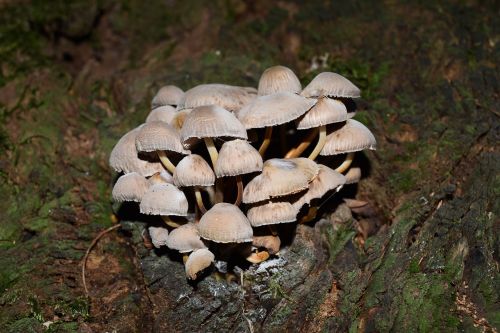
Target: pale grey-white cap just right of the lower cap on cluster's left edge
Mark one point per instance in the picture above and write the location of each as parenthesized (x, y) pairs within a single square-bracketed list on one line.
[(164, 199)]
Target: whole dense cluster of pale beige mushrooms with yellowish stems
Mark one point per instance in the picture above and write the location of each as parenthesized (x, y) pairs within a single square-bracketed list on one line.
[(207, 162)]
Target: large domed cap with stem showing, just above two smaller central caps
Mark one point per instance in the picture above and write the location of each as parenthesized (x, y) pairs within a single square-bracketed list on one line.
[(210, 122)]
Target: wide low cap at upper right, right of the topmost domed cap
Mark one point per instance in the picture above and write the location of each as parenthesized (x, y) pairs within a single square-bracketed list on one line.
[(331, 85)]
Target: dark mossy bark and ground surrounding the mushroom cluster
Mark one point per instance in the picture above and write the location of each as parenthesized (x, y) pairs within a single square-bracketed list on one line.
[(74, 77)]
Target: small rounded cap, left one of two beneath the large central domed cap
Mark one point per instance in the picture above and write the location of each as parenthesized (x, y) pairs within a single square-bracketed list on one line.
[(193, 170)]
